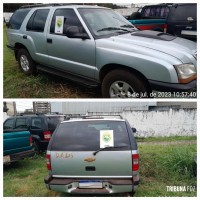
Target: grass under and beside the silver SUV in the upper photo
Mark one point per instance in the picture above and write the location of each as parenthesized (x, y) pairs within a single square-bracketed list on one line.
[(18, 85)]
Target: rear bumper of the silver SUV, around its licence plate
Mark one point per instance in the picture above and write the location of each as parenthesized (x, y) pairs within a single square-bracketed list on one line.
[(110, 185)]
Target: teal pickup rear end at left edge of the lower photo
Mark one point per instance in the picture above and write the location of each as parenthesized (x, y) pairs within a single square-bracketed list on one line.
[(17, 145)]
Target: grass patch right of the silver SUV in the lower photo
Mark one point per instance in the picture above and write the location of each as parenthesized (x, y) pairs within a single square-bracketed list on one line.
[(163, 166)]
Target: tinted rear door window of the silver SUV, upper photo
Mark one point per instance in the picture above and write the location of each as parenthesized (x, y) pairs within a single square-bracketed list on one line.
[(38, 20)]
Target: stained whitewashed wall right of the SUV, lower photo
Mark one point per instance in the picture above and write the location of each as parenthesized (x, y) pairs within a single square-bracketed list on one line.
[(155, 123)]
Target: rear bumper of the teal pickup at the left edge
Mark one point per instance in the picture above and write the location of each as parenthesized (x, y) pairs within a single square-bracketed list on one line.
[(18, 156)]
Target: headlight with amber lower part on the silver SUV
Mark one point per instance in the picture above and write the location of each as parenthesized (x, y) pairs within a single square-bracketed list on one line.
[(186, 72)]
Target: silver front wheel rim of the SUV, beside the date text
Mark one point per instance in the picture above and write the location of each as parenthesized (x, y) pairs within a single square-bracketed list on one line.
[(121, 89)]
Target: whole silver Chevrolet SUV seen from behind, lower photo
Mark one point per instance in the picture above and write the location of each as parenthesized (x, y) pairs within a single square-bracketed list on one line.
[(93, 156)]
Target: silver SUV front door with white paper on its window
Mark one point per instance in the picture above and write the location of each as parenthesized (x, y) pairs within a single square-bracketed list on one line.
[(74, 55)]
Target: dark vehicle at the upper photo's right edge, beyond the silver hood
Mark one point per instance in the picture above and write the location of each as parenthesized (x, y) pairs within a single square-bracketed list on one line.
[(182, 20)]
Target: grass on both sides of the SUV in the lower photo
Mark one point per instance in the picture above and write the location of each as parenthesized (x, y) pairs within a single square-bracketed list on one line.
[(161, 166)]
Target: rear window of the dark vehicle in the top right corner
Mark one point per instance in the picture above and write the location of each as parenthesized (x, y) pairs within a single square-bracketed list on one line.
[(183, 12)]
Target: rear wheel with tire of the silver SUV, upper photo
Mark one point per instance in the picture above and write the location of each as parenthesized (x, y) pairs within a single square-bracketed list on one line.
[(26, 64)]
